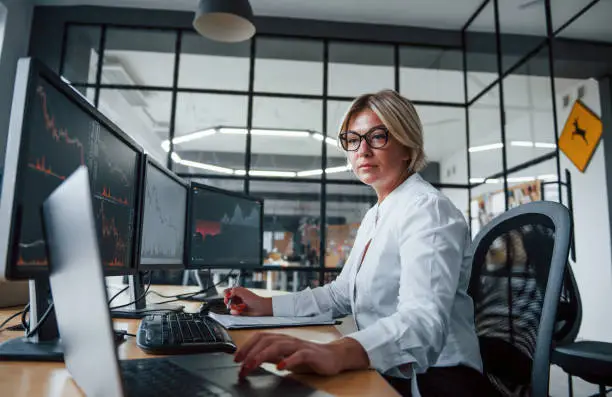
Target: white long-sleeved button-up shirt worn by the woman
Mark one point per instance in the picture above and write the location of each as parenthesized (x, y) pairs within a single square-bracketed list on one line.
[(409, 295)]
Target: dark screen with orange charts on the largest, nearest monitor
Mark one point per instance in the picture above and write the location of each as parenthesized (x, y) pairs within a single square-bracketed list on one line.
[(58, 136)]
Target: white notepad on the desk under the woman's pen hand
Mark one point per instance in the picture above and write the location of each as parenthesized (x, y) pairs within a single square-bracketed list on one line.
[(245, 322)]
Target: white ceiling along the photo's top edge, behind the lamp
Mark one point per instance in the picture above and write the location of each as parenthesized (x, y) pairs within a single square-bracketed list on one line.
[(517, 16)]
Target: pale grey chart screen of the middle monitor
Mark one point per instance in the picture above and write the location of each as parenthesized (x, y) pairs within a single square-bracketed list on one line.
[(164, 218)]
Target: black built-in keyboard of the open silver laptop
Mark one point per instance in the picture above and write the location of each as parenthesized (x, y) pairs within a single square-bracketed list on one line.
[(161, 378)]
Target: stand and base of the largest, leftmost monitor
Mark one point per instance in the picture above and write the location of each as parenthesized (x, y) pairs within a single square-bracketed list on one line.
[(44, 345)]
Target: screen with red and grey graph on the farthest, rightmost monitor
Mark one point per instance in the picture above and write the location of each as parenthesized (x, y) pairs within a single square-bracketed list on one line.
[(225, 227)]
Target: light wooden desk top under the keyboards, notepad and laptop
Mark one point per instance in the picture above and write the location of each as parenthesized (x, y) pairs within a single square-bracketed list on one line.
[(33, 379)]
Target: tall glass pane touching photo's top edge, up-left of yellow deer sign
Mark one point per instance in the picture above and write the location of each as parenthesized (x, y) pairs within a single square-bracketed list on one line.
[(522, 29)]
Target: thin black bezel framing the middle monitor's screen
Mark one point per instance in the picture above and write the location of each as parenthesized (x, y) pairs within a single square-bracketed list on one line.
[(165, 266)]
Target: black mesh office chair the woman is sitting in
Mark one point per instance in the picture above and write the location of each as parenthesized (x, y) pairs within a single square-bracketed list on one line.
[(518, 267)]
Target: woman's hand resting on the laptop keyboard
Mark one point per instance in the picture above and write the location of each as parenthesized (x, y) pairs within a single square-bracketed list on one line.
[(298, 355)]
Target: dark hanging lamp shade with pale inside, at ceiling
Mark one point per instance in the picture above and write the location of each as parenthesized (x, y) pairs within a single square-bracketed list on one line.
[(225, 20)]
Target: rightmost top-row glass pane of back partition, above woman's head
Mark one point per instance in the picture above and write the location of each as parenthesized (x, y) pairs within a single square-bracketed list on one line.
[(431, 74)]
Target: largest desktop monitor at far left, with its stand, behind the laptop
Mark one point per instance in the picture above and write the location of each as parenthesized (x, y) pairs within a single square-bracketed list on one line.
[(53, 130)]
